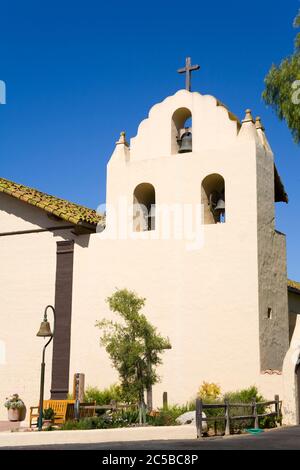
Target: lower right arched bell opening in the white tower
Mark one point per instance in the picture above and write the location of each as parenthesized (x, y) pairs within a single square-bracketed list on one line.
[(213, 199)]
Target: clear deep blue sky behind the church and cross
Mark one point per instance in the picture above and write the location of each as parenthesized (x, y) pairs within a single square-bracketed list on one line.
[(78, 73)]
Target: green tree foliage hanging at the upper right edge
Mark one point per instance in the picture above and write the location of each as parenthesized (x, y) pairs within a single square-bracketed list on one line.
[(282, 88)]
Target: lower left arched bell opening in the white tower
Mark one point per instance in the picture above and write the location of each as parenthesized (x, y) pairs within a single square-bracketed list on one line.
[(144, 208)]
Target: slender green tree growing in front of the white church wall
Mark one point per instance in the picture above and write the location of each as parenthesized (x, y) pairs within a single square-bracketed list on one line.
[(134, 346)]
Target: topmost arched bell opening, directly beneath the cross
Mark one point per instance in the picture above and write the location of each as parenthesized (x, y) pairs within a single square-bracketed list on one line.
[(181, 132)]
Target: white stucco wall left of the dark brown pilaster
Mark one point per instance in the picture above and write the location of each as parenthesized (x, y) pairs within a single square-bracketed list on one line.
[(27, 283)]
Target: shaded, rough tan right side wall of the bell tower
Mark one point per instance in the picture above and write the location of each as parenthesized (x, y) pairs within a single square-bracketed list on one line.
[(272, 270)]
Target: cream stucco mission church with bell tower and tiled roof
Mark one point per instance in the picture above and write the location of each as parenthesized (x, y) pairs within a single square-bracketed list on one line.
[(216, 285)]
